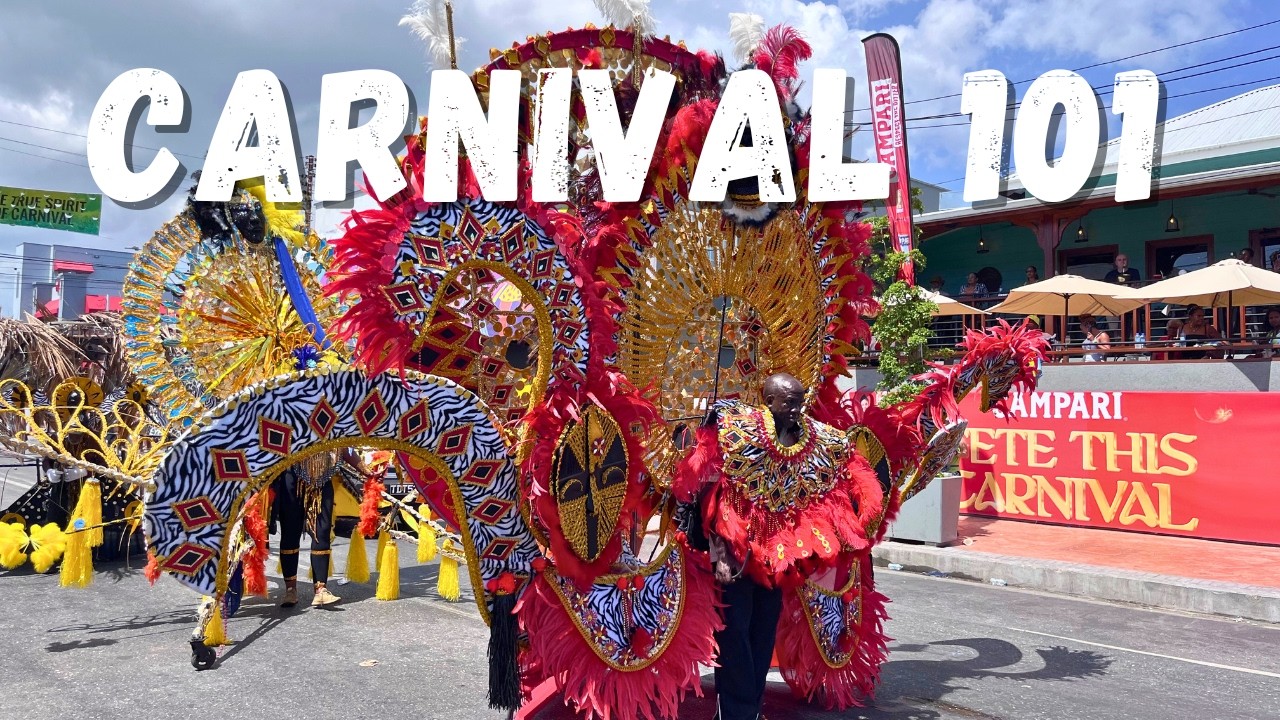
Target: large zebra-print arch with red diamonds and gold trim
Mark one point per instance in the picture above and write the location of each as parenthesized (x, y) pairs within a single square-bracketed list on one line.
[(245, 443)]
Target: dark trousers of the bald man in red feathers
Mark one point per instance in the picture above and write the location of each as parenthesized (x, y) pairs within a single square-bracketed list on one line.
[(746, 648)]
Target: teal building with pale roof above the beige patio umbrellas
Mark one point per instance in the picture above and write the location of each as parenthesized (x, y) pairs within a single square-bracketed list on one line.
[(1215, 192)]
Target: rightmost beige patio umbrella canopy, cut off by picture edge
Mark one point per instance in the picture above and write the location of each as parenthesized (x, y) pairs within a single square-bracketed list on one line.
[(1223, 285)]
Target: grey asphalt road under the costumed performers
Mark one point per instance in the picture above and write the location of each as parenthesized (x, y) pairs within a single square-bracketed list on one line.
[(963, 651)]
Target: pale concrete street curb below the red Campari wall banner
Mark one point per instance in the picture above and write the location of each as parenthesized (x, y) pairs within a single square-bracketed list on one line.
[(1167, 593)]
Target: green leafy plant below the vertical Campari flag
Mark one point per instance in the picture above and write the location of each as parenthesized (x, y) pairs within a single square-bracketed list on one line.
[(903, 325)]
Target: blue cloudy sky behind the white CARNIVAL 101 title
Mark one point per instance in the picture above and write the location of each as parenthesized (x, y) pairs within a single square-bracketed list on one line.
[(61, 57)]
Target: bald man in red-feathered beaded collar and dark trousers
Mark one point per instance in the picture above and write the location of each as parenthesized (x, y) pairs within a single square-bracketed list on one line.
[(781, 496)]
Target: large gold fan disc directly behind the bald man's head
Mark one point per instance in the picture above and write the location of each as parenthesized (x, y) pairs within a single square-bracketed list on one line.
[(757, 290)]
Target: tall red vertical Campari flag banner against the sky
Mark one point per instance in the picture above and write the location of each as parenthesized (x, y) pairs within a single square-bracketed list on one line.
[(889, 127)]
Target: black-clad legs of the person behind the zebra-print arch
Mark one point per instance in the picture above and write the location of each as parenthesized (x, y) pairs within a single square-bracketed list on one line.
[(304, 500)]
